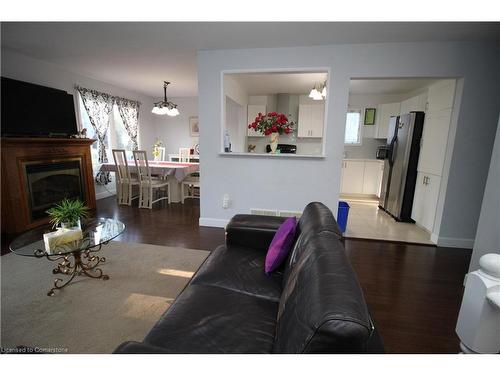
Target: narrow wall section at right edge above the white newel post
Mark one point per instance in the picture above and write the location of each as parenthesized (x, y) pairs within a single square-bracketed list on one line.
[(488, 228)]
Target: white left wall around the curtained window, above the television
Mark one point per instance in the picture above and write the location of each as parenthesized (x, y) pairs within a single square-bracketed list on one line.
[(23, 68)]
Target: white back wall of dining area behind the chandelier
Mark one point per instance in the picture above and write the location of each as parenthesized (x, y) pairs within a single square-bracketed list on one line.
[(174, 131)]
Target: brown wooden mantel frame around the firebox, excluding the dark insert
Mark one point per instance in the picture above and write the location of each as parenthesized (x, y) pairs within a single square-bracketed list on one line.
[(16, 152)]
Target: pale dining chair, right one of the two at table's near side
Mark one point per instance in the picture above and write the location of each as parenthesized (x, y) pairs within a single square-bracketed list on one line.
[(148, 185)]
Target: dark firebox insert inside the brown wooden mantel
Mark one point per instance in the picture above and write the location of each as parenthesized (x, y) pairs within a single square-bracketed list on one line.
[(47, 183)]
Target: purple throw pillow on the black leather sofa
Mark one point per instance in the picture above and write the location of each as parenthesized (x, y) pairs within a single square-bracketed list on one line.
[(281, 245)]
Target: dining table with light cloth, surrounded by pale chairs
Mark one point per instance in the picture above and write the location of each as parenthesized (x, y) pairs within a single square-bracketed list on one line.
[(163, 168)]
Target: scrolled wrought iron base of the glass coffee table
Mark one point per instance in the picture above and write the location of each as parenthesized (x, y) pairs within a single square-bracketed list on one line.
[(84, 263)]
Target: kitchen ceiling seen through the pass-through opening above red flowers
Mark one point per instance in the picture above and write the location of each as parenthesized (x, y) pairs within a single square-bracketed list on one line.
[(278, 83)]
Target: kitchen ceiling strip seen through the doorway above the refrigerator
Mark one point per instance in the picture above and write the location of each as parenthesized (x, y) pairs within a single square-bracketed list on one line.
[(391, 86)]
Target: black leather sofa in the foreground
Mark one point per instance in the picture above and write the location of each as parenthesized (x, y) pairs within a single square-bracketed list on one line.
[(313, 304)]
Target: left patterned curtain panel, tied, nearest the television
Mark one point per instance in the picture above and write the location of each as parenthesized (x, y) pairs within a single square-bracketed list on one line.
[(99, 106)]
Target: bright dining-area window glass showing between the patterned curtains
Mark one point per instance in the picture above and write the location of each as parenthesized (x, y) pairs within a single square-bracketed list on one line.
[(116, 136)]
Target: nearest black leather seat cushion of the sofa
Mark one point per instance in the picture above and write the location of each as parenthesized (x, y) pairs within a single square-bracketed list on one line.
[(209, 319)]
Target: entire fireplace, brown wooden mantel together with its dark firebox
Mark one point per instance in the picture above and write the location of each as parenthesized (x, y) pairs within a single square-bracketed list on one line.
[(38, 172)]
